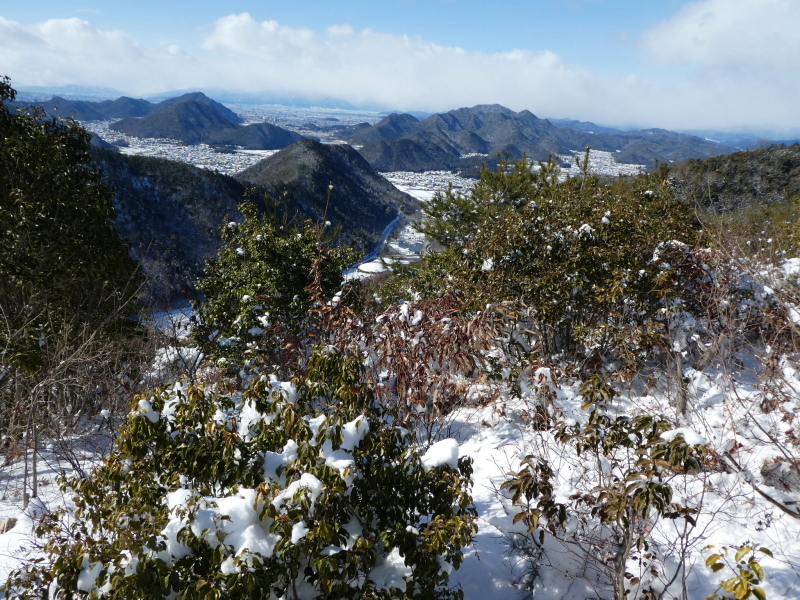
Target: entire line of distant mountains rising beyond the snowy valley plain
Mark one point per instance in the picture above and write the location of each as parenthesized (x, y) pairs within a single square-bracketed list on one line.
[(464, 139)]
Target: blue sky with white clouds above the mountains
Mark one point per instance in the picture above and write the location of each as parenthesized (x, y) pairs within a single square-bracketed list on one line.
[(677, 64)]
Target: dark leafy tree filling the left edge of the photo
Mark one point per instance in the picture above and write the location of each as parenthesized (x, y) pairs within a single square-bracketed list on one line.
[(67, 283)]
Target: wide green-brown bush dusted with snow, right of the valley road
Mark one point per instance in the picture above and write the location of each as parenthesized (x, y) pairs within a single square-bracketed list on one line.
[(579, 254)]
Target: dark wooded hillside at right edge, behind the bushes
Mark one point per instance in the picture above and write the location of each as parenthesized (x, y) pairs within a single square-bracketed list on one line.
[(760, 175)]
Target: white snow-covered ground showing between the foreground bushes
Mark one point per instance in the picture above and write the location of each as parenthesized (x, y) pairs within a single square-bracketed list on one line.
[(497, 436)]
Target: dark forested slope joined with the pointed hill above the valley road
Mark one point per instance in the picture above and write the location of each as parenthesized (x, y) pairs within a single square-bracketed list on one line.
[(170, 213)]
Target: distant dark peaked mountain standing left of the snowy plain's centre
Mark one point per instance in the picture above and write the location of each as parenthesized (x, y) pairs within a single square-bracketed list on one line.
[(189, 121)]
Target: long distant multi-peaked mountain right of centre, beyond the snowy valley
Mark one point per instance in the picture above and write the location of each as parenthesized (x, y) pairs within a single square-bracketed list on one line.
[(492, 129)]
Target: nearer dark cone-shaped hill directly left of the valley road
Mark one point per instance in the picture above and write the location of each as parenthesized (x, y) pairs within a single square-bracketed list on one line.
[(361, 201)]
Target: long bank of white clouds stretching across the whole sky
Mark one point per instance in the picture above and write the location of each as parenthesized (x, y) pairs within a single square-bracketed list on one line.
[(404, 72)]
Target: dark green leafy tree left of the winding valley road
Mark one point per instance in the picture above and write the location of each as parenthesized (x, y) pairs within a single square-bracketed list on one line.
[(267, 276)]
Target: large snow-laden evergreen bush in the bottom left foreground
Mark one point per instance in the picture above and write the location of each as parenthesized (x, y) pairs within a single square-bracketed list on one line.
[(293, 490)]
